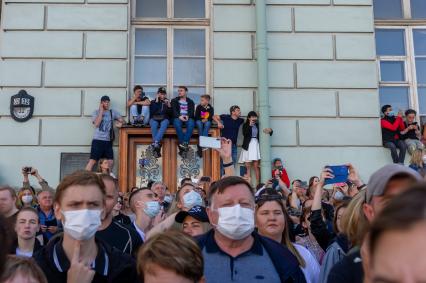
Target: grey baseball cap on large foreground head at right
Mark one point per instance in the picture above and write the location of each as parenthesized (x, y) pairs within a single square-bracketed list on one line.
[(378, 181)]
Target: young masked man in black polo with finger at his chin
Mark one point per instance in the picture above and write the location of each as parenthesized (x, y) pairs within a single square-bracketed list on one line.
[(76, 256)]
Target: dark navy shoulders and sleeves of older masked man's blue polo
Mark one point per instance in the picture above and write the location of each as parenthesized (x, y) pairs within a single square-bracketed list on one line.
[(284, 261)]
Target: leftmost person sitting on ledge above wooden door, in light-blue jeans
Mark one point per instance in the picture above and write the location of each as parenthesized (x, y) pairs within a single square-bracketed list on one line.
[(139, 107)]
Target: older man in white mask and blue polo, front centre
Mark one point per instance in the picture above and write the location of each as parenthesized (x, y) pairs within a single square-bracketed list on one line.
[(232, 251)]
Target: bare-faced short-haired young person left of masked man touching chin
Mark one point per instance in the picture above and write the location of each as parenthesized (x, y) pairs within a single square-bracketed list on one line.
[(26, 226)]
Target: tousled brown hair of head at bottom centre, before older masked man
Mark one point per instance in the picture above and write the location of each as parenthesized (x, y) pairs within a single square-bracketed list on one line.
[(171, 250)]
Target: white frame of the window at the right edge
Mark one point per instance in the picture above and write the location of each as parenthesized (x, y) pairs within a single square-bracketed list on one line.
[(410, 65)]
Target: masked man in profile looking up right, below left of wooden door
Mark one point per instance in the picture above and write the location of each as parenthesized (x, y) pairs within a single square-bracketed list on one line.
[(144, 203)]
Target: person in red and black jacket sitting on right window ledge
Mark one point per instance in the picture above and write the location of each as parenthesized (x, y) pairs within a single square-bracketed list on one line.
[(391, 128)]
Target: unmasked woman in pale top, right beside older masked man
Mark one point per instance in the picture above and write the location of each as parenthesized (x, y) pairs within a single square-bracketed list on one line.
[(272, 222)]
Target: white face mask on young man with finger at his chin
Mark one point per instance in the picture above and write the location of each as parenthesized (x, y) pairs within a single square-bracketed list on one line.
[(82, 224)]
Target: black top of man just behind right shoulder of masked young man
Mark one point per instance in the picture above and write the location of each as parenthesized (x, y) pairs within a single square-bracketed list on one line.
[(121, 237)]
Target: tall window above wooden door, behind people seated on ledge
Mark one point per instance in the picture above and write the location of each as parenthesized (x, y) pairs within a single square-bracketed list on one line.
[(170, 46)]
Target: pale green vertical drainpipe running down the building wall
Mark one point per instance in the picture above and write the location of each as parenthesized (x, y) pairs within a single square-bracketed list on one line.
[(263, 85)]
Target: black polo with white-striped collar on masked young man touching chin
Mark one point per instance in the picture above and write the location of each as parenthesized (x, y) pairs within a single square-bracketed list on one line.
[(122, 267)]
